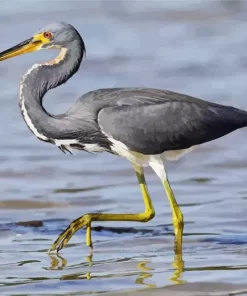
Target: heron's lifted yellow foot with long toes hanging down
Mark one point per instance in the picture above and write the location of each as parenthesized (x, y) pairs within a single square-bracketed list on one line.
[(66, 235)]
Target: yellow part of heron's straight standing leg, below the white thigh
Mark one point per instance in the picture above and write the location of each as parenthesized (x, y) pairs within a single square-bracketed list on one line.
[(177, 217)]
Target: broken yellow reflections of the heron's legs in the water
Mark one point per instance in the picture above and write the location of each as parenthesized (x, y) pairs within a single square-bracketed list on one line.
[(143, 271)]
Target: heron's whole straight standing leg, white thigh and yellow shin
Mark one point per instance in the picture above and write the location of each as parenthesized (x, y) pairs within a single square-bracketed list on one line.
[(177, 217)]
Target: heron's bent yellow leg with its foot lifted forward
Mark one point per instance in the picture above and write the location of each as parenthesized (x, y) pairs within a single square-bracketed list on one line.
[(87, 219)]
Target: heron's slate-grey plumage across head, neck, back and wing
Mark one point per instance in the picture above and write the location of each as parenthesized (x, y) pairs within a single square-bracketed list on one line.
[(148, 121)]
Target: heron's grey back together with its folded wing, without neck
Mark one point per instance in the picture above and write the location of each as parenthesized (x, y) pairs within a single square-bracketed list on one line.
[(152, 121)]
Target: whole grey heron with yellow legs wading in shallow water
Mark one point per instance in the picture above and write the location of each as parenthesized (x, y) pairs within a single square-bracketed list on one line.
[(143, 125)]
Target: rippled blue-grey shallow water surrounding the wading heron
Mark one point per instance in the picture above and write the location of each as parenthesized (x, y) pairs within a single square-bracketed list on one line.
[(195, 47)]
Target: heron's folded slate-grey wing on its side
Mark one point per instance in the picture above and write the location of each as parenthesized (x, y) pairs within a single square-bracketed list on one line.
[(153, 129)]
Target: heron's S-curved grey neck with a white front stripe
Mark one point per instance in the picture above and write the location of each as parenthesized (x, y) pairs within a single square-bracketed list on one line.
[(37, 81)]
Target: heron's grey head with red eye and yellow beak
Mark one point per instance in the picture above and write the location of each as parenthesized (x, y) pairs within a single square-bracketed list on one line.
[(56, 35)]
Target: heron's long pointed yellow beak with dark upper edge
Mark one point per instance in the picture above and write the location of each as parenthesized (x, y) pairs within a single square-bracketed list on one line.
[(26, 46)]
